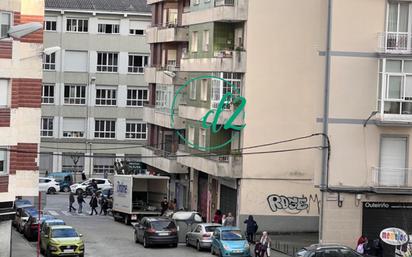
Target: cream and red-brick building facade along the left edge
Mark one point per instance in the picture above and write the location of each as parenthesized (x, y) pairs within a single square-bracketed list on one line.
[(20, 91)]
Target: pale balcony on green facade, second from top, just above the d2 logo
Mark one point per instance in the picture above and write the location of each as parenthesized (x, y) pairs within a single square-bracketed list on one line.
[(222, 61)]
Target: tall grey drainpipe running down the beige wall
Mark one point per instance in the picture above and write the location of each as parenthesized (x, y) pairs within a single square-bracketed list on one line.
[(324, 176)]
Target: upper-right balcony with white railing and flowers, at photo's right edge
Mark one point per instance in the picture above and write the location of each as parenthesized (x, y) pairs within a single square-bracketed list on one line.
[(395, 43)]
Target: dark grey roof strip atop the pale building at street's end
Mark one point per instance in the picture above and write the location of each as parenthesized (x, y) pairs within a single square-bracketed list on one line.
[(100, 5)]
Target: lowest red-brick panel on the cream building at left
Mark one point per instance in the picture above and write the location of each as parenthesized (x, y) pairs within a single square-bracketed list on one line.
[(25, 160)]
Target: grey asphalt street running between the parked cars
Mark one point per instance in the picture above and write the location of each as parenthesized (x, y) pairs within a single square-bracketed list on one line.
[(103, 236)]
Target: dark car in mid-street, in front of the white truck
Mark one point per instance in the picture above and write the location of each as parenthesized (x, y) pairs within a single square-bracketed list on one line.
[(156, 231)]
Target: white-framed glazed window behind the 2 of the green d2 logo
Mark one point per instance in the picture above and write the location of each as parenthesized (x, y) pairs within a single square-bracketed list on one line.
[(220, 88)]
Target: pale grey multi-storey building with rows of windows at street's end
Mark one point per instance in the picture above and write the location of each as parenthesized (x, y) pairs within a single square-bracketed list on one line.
[(93, 88)]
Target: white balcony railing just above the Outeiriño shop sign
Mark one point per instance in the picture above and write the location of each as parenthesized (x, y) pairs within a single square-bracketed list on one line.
[(391, 177)]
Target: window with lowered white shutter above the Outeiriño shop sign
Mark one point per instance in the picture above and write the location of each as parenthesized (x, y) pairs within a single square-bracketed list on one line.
[(392, 171)]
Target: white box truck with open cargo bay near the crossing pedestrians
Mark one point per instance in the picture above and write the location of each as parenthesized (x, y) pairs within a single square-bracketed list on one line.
[(136, 196)]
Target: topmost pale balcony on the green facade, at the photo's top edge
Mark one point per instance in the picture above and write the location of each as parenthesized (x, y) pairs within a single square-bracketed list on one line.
[(224, 10)]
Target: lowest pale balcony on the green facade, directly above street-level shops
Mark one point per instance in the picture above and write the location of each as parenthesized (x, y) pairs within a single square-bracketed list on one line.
[(217, 165)]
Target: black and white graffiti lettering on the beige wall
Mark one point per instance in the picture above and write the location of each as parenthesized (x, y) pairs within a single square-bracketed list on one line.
[(293, 204)]
